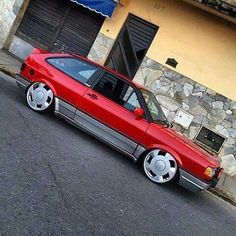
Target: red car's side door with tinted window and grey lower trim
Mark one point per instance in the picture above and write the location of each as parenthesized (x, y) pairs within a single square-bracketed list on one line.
[(109, 106)]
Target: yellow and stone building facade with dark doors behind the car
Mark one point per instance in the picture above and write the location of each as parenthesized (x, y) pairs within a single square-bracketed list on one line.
[(184, 51)]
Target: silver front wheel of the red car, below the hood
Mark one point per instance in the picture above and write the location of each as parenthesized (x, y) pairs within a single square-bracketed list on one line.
[(160, 166)]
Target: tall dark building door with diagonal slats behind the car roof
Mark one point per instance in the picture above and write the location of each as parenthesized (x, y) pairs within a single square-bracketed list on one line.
[(131, 46)]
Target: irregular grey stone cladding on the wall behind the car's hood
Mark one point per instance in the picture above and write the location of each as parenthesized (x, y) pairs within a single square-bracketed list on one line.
[(175, 91)]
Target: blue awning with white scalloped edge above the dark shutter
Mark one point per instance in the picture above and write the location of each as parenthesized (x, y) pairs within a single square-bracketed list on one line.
[(104, 7)]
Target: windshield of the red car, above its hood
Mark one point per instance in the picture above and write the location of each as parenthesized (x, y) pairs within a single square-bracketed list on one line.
[(154, 108)]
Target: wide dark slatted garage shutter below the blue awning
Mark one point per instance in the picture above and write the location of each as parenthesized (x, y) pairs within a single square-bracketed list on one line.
[(60, 26)]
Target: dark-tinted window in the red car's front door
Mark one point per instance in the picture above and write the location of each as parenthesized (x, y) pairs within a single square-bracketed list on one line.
[(118, 91)]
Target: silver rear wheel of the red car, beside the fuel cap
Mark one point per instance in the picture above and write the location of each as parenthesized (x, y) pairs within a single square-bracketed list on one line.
[(39, 96)]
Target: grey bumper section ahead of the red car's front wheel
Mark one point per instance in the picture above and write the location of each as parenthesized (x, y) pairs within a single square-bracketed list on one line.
[(192, 183)]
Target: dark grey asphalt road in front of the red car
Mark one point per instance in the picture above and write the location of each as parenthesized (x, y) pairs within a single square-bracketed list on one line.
[(57, 180)]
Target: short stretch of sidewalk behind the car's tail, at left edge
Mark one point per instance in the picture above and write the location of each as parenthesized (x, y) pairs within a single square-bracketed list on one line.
[(9, 64)]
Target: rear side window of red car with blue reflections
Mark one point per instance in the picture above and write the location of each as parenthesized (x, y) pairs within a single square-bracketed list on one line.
[(74, 67)]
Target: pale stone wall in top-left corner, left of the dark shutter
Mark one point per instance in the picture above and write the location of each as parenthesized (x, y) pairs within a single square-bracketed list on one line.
[(8, 12)]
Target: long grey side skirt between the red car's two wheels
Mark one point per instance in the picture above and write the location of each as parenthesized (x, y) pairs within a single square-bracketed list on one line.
[(97, 129)]
